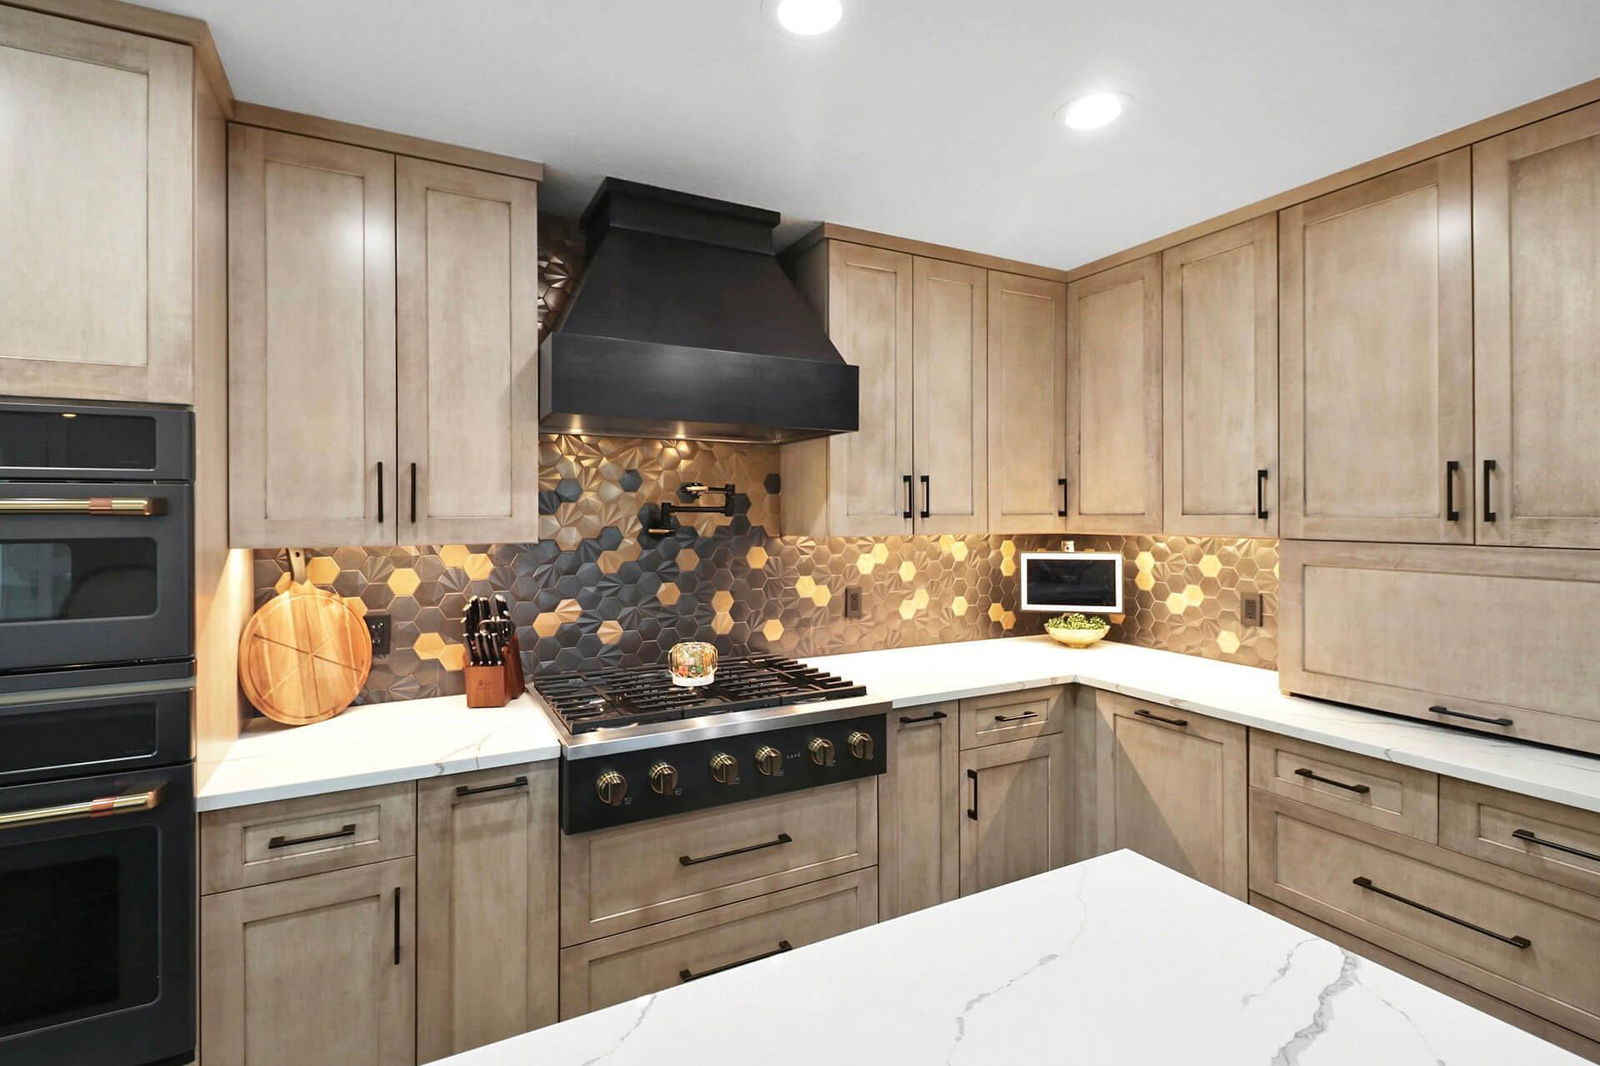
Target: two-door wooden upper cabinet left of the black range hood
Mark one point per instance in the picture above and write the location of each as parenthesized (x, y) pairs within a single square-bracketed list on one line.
[(383, 348)]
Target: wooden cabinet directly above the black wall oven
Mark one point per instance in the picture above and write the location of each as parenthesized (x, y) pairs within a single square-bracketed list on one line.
[(97, 212)]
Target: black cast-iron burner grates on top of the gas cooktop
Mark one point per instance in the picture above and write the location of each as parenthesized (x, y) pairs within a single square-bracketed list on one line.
[(615, 699)]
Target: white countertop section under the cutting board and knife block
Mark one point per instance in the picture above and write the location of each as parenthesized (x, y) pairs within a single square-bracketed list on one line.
[(374, 745)]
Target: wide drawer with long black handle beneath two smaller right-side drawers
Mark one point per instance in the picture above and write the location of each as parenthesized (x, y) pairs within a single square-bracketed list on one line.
[(1527, 942)]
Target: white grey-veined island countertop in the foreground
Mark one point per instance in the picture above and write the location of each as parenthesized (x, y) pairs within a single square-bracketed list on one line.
[(1114, 961)]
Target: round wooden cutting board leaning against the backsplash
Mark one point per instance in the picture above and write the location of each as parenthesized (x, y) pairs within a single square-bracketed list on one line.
[(303, 657)]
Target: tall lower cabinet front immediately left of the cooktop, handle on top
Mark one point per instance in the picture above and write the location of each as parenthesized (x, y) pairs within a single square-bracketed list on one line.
[(487, 920)]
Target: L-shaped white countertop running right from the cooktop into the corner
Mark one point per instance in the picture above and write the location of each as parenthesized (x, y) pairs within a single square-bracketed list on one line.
[(1225, 691)]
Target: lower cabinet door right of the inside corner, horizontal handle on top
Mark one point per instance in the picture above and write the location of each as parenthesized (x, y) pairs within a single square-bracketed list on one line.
[(1174, 788)]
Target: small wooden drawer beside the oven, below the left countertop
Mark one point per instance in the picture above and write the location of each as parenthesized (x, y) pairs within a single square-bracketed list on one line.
[(254, 846)]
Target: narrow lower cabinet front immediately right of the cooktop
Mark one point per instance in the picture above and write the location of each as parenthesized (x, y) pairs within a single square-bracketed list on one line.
[(919, 812)]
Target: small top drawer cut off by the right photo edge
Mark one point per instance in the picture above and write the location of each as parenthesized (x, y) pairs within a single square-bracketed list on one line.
[(1527, 835)]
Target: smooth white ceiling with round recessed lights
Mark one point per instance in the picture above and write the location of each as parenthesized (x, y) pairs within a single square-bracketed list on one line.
[(929, 119)]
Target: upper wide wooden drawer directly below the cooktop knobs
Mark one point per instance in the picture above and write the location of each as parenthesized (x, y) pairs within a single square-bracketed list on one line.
[(631, 876)]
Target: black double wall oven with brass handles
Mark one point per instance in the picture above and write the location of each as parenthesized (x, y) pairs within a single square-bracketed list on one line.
[(97, 782)]
